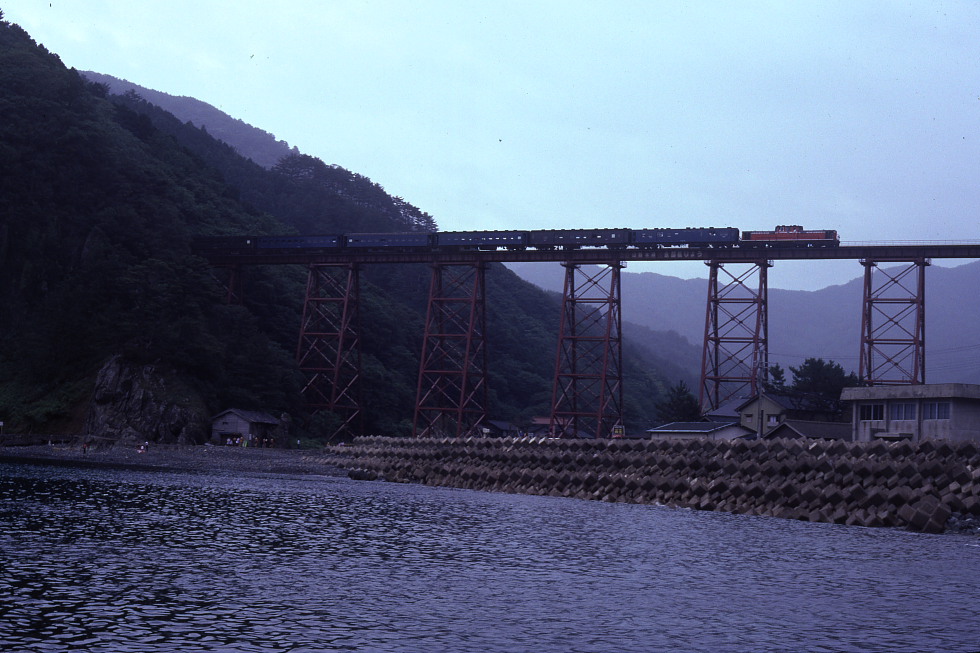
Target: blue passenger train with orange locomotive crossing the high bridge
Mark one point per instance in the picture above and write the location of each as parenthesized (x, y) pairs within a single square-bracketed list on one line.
[(544, 239)]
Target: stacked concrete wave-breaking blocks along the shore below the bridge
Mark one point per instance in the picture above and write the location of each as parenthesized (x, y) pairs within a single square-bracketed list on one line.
[(914, 485)]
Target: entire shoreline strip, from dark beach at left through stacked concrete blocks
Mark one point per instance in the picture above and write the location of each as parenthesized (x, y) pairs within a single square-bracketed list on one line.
[(880, 485)]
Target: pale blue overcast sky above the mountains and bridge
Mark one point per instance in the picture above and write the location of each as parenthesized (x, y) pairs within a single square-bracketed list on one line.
[(862, 117)]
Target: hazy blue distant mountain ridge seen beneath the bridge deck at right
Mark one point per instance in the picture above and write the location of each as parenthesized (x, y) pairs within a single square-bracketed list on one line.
[(824, 323)]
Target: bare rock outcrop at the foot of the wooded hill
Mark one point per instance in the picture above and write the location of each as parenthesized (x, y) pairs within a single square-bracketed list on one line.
[(135, 403)]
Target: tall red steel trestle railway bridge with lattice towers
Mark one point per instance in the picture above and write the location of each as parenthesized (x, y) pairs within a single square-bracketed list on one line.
[(451, 397)]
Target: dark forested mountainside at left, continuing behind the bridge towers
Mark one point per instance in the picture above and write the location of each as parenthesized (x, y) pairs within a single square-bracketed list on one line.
[(100, 198)]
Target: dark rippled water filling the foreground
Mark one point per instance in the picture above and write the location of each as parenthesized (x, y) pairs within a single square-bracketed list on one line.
[(101, 560)]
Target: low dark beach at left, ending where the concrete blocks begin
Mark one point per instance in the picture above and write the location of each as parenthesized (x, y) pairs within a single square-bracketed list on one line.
[(198, 458)]
